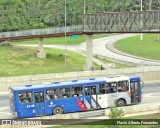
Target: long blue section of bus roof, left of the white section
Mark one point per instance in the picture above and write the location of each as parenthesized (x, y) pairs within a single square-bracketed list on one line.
[(58, 84)]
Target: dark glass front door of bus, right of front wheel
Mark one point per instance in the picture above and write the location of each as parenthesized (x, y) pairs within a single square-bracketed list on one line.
[(134, 92)]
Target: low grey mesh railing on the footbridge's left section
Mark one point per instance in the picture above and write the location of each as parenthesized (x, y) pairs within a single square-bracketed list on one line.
[(45, 31)]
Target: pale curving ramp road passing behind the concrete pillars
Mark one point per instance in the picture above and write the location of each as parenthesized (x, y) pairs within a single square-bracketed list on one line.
[(100, 48)]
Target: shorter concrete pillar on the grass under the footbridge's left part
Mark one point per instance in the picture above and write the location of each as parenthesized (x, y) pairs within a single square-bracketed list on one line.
[(40, 53)]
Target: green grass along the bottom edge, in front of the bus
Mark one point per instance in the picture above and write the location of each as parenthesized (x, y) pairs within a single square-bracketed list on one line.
[(103, 122)]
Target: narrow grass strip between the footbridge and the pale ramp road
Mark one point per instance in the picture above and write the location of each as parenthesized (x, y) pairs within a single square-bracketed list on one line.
[(60, 40)]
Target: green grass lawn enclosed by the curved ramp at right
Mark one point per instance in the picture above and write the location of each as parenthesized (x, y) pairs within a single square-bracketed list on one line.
[(148, 48)]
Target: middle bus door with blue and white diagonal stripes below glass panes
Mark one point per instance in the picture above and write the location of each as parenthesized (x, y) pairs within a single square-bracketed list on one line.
[(90, 97)]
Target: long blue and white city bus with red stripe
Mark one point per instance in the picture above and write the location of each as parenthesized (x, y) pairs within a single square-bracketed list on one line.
[(74, 96)]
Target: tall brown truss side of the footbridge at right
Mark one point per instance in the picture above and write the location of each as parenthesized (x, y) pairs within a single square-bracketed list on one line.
[(147, 21)]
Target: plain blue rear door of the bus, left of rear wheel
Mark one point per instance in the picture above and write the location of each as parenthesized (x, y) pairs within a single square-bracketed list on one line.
[(39, 103)]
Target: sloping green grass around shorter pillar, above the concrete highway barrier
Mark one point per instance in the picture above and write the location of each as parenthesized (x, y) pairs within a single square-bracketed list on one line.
[(21, 61)]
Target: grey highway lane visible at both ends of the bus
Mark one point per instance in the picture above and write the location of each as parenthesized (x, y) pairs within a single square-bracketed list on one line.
[(151, 93)]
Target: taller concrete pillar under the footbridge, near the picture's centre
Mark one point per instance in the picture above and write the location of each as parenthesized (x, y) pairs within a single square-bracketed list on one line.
[(89, 52)]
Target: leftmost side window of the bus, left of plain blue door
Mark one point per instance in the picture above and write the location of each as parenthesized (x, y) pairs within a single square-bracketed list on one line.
[(25, 97)]
